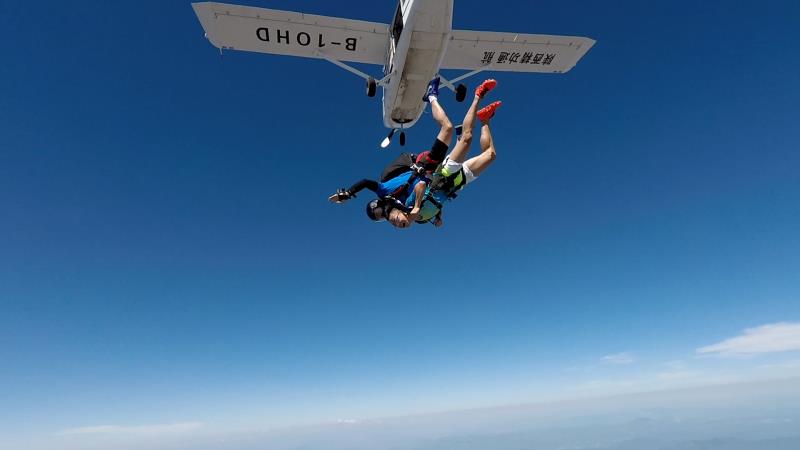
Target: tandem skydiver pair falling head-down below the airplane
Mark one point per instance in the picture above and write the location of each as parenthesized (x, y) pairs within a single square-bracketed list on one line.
[(414, 188)]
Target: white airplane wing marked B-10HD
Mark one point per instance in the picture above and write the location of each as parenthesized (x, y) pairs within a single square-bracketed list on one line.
[(290, 33)]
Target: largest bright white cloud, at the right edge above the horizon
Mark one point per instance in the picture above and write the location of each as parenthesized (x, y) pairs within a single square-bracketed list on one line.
[(772, 338)]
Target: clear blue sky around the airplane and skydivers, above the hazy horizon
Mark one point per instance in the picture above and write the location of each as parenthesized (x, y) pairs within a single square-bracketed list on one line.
[(167, 253)]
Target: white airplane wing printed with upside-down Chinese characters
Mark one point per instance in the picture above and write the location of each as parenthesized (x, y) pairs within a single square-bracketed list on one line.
[(512, 52)]
